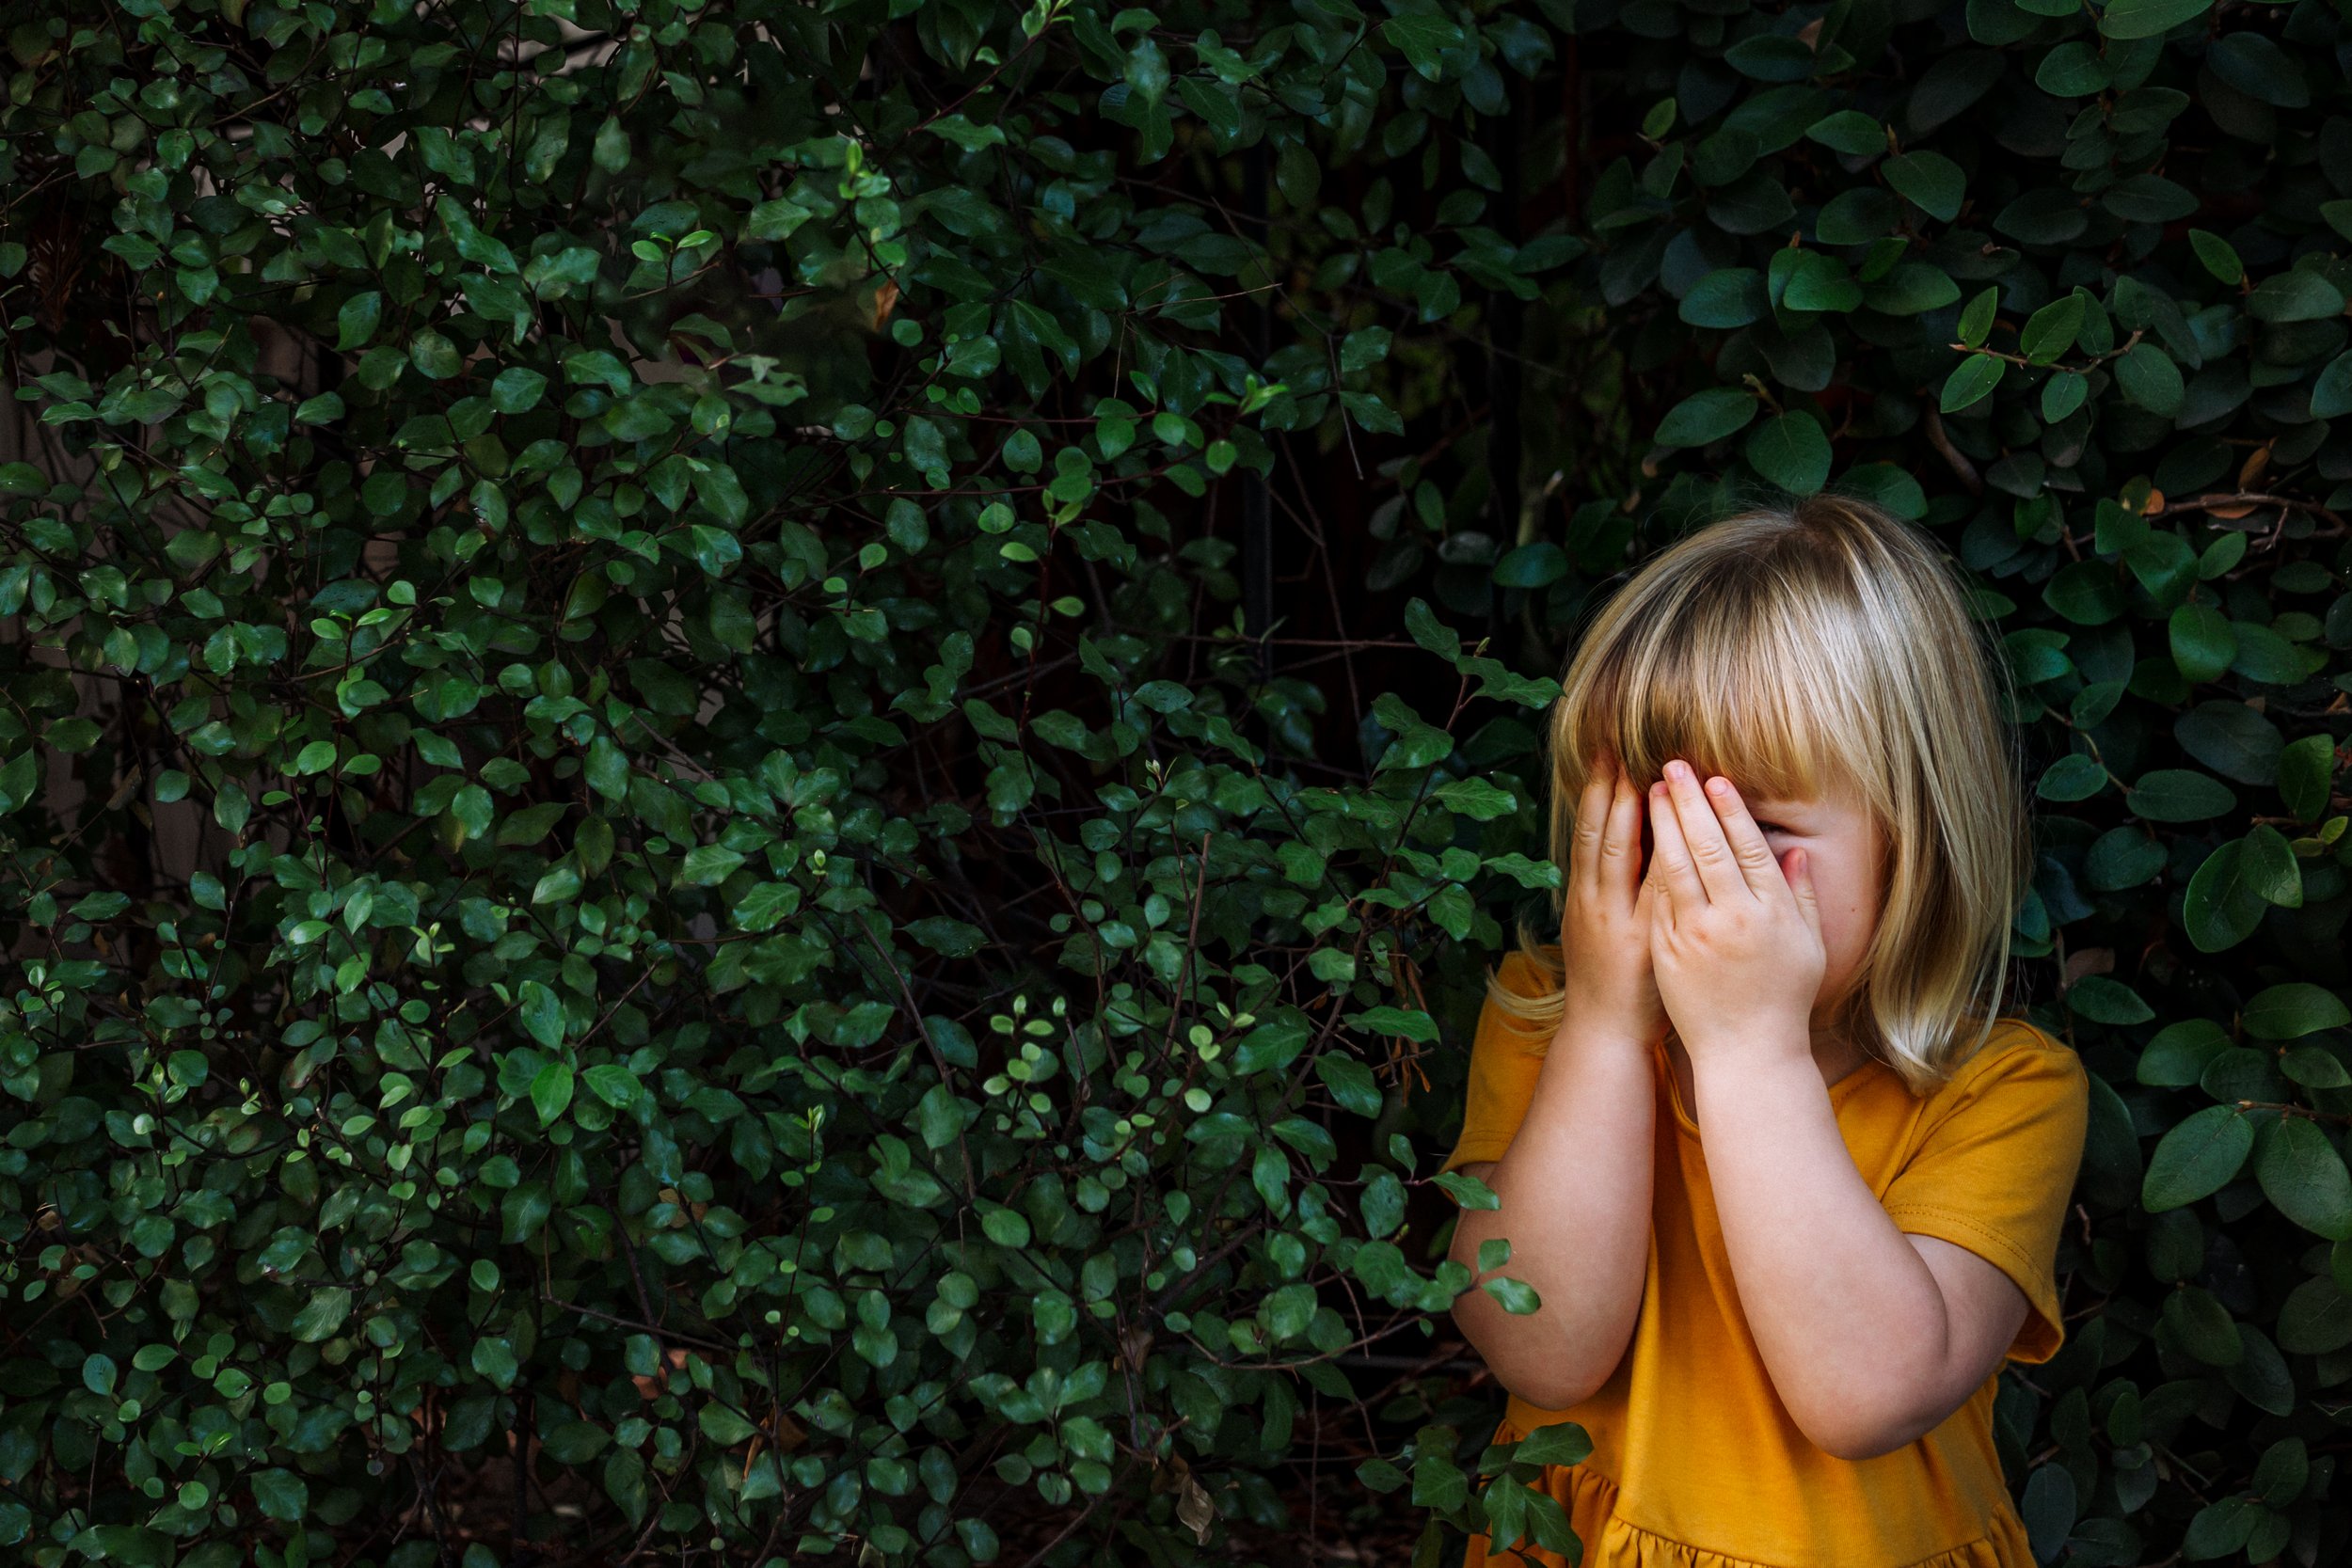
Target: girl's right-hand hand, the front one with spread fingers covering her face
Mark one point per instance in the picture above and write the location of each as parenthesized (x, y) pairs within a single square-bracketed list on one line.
[(1735, 939)]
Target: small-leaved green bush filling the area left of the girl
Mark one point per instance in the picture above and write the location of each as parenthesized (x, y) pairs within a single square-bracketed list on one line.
[(648, 902)]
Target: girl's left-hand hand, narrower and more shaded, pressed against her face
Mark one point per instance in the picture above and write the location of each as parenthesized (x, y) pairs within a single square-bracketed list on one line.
[(1605, 923)]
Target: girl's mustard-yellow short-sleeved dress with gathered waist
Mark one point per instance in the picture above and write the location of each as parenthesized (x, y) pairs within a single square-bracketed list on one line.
[(1695, 1463)]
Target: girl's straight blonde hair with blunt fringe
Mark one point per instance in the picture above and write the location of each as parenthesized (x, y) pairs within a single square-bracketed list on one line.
[(1805, 652)]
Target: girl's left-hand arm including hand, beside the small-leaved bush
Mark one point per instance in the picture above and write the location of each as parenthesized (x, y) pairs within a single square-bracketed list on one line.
[(1575, 1184)]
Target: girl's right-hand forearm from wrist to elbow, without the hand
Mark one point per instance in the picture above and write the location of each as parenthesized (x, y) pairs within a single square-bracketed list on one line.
[(1845, 1313)]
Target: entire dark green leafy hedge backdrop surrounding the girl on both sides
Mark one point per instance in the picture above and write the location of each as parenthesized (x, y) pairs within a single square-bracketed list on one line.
[(686, 857)]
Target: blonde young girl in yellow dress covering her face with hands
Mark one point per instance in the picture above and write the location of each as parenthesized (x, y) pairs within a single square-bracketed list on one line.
[(1784, 1179)]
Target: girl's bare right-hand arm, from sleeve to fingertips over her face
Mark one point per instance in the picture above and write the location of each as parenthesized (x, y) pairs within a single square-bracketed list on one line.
[(1871, 1336)]
